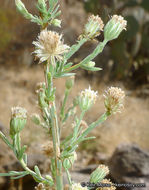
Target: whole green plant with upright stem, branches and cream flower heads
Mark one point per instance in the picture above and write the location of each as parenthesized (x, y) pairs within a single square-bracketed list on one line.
[(54, 55)]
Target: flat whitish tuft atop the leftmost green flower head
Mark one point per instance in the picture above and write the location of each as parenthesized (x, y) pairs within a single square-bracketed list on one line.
[(18, 112)]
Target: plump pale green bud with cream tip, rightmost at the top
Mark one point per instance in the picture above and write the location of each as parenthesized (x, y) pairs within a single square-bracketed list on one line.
[(114, 27)]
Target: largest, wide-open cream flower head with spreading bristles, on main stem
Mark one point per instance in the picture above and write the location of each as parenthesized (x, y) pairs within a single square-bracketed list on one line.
[(49, 46)]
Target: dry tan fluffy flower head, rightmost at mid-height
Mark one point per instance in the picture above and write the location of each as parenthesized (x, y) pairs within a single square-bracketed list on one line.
[(114, 98)]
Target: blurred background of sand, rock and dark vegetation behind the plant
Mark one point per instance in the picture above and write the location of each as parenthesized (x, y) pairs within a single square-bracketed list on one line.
[(123, 141)]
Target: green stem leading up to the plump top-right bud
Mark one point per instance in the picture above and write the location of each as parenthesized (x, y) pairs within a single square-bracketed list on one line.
[(90, 57)]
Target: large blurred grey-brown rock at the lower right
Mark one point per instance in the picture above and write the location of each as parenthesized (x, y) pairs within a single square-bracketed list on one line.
[(130, 164)]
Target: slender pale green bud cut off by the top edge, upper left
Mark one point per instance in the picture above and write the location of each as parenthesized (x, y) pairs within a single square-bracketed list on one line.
[(21, 8)]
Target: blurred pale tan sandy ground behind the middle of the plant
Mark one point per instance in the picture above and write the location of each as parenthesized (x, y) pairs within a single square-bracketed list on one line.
[(17, 88)]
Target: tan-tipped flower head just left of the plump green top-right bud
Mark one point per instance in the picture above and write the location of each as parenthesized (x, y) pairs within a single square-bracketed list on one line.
[(93, 27)]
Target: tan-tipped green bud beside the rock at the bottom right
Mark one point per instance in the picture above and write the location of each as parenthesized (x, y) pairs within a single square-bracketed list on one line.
[(99, 174)]
